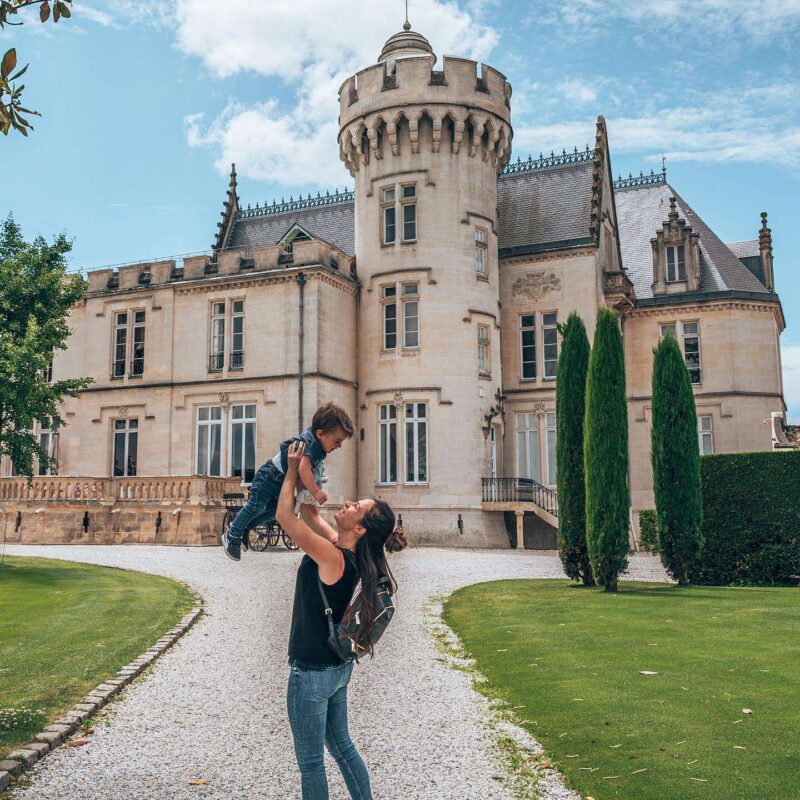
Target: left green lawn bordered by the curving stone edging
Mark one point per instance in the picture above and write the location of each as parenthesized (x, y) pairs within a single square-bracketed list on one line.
[(66, 627)]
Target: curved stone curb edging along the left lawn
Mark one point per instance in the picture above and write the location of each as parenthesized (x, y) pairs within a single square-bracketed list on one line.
[(65, 726)]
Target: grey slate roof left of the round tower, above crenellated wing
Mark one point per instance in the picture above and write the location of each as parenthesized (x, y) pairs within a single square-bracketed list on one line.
[(334, 223)]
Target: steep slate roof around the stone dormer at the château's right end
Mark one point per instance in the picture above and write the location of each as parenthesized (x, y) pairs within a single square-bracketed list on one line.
[(642, 212)]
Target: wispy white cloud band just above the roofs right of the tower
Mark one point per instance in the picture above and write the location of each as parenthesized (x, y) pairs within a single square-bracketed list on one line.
[(753, 125)]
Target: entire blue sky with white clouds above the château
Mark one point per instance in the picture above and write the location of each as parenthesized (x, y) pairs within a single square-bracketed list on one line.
[(145, 104)]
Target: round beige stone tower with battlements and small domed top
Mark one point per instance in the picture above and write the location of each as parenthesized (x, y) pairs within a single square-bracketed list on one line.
[(425, 147)]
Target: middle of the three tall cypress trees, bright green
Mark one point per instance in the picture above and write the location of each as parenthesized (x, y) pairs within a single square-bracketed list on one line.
[(606, 453)]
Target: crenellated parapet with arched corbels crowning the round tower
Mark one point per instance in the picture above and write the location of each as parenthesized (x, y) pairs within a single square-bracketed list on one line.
[(406, 103)]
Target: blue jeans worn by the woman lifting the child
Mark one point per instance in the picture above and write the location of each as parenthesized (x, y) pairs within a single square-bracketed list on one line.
[(317, 702)]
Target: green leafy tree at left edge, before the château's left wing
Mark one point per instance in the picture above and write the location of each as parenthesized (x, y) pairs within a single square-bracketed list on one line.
[(36, 295)]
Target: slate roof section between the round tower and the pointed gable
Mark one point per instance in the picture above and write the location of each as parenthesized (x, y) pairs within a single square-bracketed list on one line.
[(544, 206)]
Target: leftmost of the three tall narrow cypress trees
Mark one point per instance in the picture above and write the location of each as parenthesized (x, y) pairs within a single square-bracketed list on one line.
[(573, 365)]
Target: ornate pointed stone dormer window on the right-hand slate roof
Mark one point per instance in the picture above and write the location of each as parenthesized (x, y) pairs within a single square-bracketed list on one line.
[(676, 255)]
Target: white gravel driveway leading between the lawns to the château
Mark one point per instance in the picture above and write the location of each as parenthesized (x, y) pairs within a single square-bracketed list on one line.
[(213, 707)]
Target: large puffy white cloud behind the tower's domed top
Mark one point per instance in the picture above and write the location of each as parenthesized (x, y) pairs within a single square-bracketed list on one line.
[(308, 45)]
